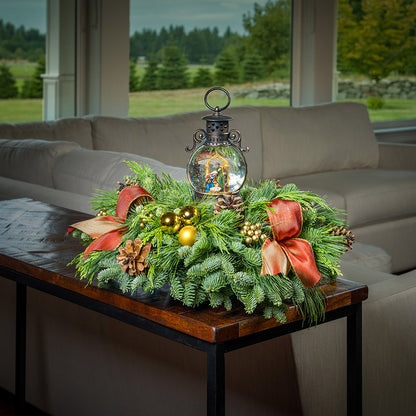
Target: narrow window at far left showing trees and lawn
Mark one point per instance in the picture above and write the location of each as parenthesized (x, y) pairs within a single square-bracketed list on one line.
[(22, 59)]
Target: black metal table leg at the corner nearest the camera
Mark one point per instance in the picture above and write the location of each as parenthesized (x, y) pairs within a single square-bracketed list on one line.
[(216, 380)]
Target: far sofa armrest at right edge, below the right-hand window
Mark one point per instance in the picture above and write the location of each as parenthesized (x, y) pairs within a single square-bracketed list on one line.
[(399, 156)]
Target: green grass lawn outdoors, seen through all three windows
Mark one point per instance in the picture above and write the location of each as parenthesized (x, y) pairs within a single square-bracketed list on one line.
[(160, 103)]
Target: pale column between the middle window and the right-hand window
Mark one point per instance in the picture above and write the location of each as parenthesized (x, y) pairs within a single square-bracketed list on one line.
[(313, 51)]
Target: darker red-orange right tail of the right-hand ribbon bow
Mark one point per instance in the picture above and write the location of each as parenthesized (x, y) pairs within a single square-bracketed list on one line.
[(302, 259)]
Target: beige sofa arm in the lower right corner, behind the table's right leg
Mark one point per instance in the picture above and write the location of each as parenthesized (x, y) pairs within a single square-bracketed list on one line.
[(389, 337)]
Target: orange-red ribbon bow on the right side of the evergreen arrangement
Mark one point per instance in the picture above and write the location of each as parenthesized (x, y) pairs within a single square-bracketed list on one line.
[(285, 250)]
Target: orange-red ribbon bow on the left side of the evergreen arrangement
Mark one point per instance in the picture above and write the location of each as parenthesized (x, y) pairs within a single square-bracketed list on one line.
[(107, 231)]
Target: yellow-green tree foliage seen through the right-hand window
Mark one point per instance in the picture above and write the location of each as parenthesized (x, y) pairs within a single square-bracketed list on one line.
[(378, 39)]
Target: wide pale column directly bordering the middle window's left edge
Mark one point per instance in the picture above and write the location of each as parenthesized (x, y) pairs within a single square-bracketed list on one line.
[(103, 57)]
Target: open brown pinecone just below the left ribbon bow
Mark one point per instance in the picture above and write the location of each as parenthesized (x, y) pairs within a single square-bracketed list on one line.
[(132, 257)]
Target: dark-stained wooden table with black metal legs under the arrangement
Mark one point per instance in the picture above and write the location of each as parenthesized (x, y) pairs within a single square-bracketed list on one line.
[(34, 252)]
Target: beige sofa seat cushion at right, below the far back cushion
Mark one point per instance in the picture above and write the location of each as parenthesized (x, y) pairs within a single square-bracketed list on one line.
[(371, 195)]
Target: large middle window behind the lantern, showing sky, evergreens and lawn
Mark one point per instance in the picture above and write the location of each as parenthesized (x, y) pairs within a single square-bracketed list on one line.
[(179, 49)]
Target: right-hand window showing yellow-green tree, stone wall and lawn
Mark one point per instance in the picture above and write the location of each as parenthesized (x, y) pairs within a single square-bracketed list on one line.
[(377, 56)]
